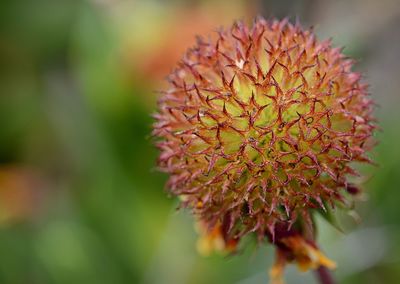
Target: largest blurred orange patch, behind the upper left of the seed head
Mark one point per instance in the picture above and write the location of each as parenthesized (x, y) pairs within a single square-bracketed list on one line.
[(176, 33)]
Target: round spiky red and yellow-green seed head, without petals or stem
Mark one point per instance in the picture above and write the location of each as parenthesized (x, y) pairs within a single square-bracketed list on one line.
[(261, 124)]
